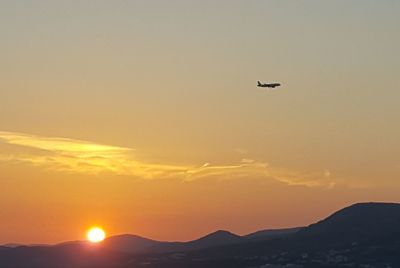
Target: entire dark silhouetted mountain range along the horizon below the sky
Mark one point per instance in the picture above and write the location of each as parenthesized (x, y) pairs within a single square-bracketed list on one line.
[(361, 235)]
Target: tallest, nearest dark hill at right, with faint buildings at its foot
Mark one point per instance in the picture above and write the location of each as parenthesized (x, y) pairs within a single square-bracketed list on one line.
[(361, 235)]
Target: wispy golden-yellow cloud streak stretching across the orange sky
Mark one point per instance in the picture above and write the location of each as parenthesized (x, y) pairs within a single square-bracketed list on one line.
[(69, 155)]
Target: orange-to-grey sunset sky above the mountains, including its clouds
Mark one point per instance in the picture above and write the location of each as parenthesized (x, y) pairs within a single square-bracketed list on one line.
[(144, 117)]
